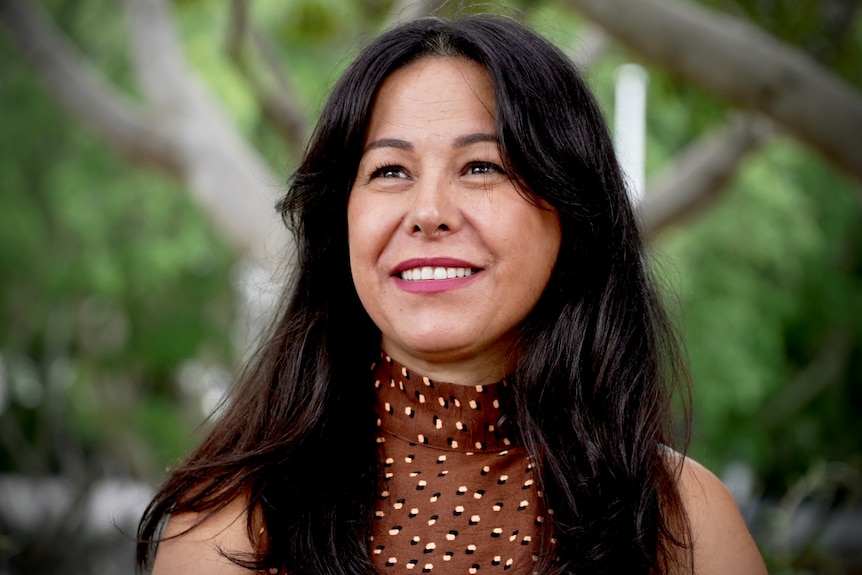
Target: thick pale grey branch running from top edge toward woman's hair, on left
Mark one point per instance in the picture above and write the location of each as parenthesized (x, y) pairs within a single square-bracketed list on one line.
[(229, 179)]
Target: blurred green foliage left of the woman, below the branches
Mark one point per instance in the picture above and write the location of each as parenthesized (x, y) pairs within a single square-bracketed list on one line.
[(111, 279)]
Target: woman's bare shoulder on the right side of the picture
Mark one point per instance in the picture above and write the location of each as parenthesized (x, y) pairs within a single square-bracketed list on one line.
[(722, 542)]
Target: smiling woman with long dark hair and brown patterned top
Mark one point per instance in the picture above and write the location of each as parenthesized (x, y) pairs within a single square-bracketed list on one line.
[(471, 371)]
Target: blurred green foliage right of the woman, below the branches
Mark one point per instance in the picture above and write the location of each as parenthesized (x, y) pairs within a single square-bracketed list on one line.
[(769, 278)]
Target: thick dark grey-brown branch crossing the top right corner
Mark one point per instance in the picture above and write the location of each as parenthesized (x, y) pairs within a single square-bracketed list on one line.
[(739, 62)]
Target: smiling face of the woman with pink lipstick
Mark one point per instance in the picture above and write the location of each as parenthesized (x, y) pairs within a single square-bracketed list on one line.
[(446, 255)]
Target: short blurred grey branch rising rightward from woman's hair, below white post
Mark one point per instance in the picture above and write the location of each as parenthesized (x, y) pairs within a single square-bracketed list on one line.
[(699, 173)]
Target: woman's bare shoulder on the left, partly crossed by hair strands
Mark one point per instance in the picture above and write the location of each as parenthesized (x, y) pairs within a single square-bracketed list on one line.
[(195, 548)]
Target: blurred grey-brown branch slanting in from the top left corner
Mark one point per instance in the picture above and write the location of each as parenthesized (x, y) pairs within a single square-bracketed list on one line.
[(135, 134)]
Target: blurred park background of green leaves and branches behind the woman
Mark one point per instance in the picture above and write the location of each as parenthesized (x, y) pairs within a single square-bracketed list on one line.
[(142, 147)]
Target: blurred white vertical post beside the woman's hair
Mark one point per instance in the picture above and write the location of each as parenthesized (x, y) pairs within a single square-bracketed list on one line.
[(630, 125)]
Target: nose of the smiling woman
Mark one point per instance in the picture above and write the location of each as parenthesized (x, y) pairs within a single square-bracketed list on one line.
[(434, 209)]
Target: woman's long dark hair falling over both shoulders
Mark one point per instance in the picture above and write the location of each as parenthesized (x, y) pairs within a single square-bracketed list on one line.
[(596, 360)]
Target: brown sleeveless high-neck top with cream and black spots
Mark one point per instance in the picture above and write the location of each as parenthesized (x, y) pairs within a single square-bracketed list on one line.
[(458, 494)]
